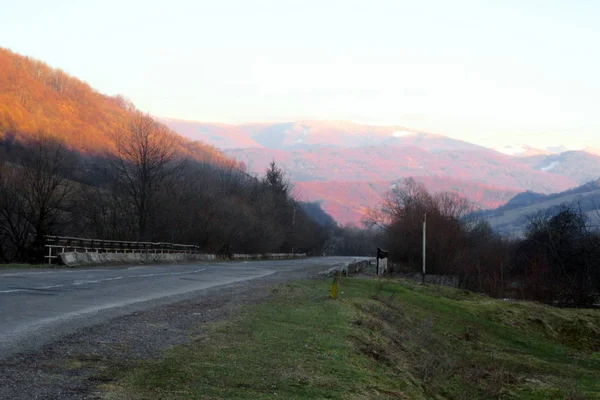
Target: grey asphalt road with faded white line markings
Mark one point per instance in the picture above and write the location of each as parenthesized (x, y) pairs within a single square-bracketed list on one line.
[(39, 306)]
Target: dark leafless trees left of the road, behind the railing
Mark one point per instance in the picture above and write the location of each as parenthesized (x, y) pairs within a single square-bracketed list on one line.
[(145, 190)]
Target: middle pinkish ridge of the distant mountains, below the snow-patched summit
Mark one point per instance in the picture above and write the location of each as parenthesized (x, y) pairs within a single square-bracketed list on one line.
[(386, 163)]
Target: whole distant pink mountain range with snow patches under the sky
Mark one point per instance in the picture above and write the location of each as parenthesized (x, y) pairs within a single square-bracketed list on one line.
[(348, 166)]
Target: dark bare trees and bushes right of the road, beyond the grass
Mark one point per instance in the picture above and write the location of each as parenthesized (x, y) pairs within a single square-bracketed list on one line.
[(556, 262)]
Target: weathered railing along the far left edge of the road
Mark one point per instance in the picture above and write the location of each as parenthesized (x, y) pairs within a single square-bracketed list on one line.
[(60, 244)]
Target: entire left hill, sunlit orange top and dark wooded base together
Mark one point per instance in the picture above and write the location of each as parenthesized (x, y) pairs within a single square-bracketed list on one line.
[(58, 138)]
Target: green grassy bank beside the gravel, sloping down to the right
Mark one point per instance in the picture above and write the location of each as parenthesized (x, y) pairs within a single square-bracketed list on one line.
[(381, 339)]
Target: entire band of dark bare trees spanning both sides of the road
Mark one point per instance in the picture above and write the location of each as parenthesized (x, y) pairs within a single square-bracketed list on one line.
[(147, 189)]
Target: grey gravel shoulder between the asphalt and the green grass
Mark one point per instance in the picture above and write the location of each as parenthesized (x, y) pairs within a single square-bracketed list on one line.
[(71, 367)]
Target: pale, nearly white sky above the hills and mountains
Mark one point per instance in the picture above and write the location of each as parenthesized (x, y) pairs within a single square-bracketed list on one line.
[(490, 72)]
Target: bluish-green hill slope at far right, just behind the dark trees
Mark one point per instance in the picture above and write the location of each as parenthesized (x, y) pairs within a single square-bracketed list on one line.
[(513, 217)]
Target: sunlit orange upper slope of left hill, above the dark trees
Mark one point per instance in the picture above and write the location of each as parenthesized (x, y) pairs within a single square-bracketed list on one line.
[(38, 98)]
